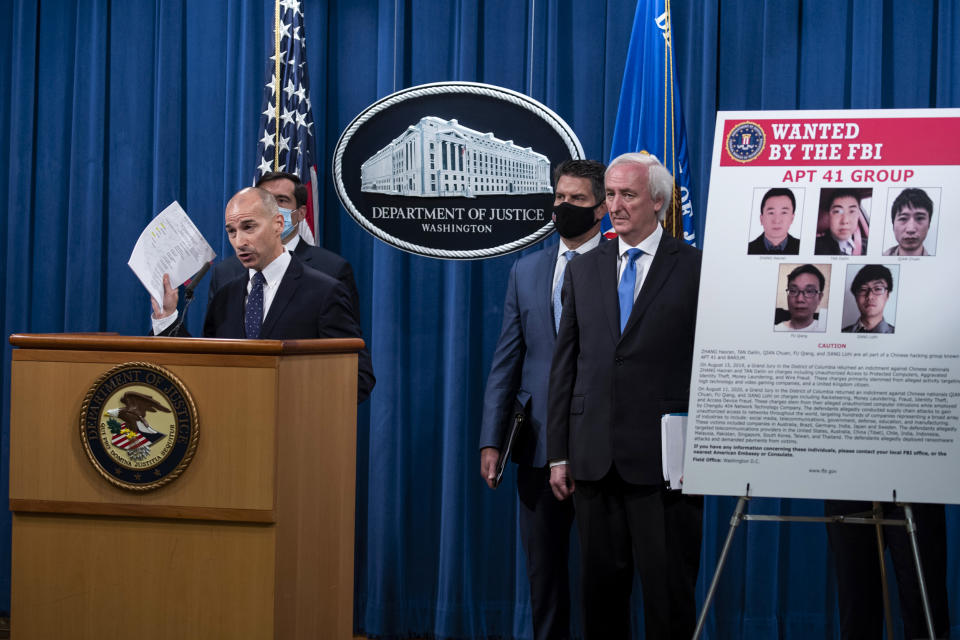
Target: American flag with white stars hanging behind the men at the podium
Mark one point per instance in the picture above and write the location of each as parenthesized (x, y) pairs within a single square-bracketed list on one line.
[(292, 148)]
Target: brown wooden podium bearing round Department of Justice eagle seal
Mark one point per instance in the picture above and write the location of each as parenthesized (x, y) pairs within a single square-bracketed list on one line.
[(253, 540)]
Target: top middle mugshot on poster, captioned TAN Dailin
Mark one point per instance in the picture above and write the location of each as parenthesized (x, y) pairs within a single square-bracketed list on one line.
[(843, 223)]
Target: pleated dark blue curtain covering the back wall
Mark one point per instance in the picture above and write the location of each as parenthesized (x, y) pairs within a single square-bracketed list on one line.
[(110, 110)]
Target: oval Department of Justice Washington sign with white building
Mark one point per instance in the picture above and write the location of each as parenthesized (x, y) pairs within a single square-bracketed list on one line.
[(454, 170)]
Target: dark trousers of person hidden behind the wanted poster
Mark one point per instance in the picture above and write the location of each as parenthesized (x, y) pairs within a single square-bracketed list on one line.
[(859, 589)]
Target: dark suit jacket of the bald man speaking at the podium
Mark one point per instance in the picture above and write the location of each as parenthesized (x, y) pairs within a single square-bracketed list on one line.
[(308, 304)]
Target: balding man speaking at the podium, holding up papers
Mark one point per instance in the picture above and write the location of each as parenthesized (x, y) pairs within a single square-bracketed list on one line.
[(276, 298)]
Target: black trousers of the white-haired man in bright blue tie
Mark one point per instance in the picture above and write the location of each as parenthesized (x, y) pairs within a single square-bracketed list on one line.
[(657, 532)]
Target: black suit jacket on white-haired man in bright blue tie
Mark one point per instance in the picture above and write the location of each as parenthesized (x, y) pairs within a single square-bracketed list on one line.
[(607, 391)]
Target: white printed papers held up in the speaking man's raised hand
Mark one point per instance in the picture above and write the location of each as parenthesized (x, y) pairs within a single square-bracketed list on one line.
[(170, 244)]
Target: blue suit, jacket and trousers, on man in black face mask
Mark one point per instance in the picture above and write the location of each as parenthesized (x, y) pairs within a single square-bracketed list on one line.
[(519, 374)]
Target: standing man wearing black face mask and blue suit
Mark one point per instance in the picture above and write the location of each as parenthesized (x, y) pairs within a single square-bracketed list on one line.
[(518, 382)]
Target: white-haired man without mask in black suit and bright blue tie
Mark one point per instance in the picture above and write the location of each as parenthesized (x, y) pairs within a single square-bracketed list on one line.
[(623, 359)]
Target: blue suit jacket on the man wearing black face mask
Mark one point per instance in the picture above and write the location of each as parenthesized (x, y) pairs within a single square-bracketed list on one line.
[(521, 362)]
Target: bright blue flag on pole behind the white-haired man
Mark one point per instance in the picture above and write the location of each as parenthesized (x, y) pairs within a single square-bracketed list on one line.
[(650, 116)]
